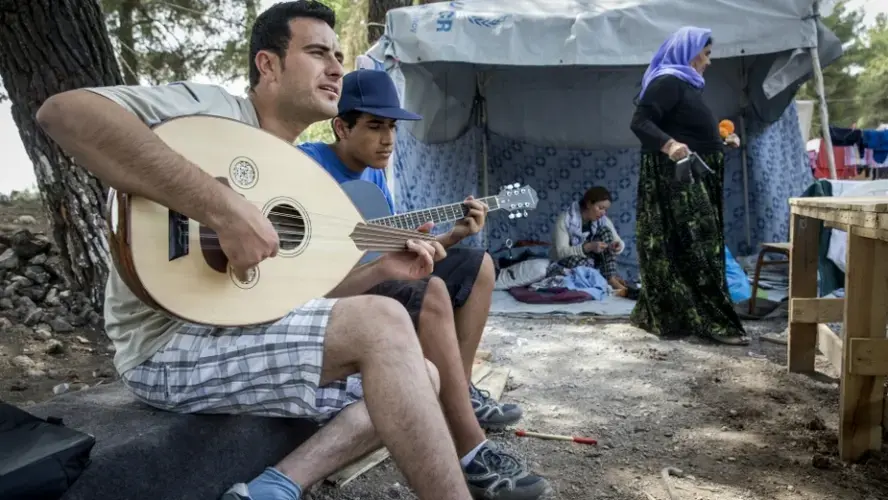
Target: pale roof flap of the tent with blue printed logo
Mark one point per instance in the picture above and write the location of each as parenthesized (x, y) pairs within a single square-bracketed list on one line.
[(591, 32)]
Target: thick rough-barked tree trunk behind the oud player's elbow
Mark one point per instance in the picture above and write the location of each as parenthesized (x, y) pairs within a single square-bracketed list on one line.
[(47, 47)]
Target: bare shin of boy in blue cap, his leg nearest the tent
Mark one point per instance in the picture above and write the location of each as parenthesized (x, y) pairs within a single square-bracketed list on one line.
[(471, 318)]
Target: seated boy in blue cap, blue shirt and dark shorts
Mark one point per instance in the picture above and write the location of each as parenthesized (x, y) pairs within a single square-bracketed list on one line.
[(450, 308)]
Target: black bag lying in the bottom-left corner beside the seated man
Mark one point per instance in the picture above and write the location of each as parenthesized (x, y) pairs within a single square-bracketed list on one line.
[(39, 459)]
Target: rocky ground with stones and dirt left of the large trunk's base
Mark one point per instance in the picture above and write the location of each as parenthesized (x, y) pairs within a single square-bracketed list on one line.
[(47, 340)]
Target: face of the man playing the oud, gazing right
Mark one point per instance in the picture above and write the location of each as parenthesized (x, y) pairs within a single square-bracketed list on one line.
[(308, 82)]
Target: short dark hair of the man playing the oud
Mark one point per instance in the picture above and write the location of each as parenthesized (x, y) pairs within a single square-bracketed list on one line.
[(271, 31)]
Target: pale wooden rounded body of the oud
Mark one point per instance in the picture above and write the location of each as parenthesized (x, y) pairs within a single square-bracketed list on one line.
[(268, 172)]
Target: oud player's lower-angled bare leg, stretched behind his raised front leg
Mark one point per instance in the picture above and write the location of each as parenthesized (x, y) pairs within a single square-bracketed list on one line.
[(346, 438)]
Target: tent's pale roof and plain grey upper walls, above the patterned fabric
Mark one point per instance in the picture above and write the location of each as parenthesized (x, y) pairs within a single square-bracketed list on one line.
[(581, 61)]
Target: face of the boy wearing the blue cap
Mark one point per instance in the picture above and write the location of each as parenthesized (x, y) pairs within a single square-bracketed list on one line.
[(371, 140)]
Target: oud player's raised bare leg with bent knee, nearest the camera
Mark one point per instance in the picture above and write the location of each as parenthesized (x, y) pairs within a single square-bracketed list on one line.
[(374, 336)]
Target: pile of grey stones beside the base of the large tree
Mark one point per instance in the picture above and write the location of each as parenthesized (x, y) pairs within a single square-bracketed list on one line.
[(34, 290)]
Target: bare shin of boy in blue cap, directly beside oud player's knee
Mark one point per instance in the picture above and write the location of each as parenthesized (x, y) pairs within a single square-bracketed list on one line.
[(439, 345)]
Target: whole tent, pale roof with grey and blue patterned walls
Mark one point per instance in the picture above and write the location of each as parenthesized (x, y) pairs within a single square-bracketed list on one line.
[(543, 91)]
